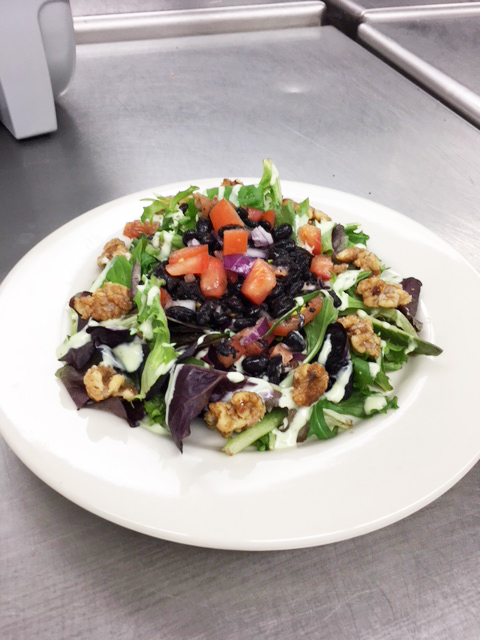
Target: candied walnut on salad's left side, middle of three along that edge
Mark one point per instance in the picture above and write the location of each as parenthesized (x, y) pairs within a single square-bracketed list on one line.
[(111, 301)]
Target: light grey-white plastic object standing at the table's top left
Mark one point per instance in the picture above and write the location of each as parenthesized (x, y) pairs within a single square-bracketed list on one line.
[(37, 60)]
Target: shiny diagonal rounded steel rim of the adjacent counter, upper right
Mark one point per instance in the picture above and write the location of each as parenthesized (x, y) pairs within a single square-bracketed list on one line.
[(444, 86)]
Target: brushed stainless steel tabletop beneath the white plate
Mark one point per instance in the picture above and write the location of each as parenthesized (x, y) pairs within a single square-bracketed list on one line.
[(144, 113)]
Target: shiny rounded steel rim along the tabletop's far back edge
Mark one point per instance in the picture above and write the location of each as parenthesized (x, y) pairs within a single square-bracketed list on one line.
[(168, 24)]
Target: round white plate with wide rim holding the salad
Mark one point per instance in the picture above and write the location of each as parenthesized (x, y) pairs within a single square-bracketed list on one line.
[(383, 470)]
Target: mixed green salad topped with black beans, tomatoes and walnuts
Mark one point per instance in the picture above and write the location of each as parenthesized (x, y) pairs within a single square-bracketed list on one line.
[(260, 315)]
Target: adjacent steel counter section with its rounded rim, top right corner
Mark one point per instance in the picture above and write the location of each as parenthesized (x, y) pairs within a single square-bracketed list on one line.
[(441, 54)]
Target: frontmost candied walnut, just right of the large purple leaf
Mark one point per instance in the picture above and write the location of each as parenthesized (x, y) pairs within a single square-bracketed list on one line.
[(244, 410)]
